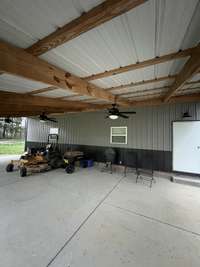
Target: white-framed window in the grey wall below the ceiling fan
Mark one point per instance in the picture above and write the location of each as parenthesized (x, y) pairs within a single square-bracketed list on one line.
[(118, 135)]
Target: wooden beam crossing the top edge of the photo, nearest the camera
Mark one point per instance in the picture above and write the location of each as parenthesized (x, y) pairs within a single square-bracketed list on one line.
[(87, 21)]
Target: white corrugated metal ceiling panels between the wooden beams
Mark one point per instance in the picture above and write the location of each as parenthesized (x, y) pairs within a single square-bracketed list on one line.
[(153, 29)]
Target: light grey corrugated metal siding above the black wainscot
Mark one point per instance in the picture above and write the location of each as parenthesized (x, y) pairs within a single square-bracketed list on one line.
[(150, 128)]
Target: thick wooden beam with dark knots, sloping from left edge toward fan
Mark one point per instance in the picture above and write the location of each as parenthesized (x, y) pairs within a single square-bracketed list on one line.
[(18, 62)]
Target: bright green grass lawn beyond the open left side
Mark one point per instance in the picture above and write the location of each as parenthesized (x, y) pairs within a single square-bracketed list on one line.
[(12, 147)]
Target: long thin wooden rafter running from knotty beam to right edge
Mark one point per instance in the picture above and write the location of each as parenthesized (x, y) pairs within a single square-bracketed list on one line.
[(143, 64)]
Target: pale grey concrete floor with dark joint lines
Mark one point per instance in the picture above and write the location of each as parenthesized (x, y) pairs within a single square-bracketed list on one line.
[(94, 219)]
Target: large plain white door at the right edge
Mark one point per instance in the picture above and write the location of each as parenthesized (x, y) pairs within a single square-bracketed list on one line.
[(186, 146)]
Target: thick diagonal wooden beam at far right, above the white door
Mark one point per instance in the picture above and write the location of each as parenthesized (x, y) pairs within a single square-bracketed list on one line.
[(191, 67)]
